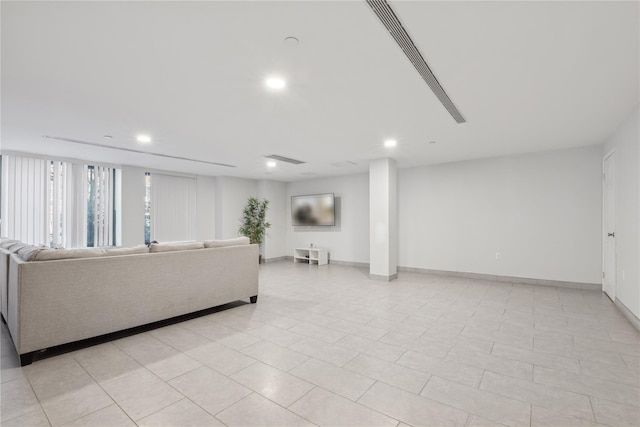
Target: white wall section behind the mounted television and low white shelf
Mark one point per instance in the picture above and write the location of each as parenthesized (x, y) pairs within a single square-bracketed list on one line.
[(348, 240)]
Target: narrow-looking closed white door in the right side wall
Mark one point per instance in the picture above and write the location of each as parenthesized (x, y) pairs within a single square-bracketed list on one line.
[(609, 226)]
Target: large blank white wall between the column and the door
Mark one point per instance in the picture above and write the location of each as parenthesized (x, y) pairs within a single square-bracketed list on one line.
[(541, 211)]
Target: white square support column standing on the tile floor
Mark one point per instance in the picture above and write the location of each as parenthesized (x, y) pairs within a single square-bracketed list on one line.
[(383, 220)]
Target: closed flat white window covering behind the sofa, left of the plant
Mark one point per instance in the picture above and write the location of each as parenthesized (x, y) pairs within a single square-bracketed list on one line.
[(173, 208)]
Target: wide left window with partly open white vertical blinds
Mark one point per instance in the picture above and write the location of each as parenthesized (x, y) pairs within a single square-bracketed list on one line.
[(59, 203)]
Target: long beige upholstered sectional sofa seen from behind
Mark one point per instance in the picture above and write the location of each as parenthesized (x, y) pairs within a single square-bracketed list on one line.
[(59, 301)]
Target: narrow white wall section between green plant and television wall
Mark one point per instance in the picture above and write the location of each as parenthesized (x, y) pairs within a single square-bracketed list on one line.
[(275, 243)]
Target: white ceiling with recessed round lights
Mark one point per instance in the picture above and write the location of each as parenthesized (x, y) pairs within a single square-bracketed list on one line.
[(527, 76)]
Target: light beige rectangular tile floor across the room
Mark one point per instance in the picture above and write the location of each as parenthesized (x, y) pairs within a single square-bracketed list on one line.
[(326, 346)]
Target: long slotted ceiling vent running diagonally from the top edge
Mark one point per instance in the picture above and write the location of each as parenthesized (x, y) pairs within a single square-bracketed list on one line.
[(397, 31)]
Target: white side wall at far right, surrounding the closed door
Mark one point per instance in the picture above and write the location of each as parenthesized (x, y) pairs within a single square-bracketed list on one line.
[(626, 143)]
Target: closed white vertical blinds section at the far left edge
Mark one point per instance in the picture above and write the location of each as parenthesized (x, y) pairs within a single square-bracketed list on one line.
[(25, 199)]
